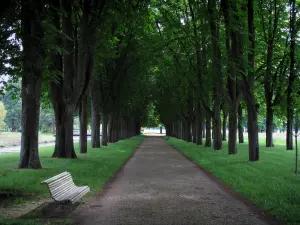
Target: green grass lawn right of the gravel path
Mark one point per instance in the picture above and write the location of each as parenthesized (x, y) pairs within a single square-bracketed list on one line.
[(270, 183)]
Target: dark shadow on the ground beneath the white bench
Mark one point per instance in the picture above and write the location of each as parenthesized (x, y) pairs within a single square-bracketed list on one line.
[(52, 210)]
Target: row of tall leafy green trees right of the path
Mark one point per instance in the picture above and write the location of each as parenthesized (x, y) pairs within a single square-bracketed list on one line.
[(222, 56)]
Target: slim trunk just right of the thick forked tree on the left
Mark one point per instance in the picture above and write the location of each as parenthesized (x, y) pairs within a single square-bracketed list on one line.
[(83, 119)]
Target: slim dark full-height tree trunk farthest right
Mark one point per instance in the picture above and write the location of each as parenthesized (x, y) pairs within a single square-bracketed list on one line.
[(292, 77)]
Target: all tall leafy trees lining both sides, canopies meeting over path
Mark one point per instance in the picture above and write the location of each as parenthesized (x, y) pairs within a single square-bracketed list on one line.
[(196, 63)]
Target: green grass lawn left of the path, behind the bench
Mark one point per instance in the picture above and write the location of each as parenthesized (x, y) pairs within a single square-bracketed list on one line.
[(93, 169)]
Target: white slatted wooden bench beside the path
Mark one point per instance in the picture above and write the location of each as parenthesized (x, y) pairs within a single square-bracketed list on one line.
[(63, 189)]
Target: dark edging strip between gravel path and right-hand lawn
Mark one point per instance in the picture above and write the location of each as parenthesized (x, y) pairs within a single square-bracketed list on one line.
[(261, 213)]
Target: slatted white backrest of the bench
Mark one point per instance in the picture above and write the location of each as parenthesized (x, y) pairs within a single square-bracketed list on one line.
[(60, 184)]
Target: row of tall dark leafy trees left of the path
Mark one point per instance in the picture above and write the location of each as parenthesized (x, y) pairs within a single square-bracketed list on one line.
[(76, 55)]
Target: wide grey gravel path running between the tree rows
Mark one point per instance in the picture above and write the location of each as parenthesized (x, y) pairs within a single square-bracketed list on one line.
[(158, 186)]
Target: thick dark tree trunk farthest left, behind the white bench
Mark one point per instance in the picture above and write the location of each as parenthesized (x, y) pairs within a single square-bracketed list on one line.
[(33, 57)]
